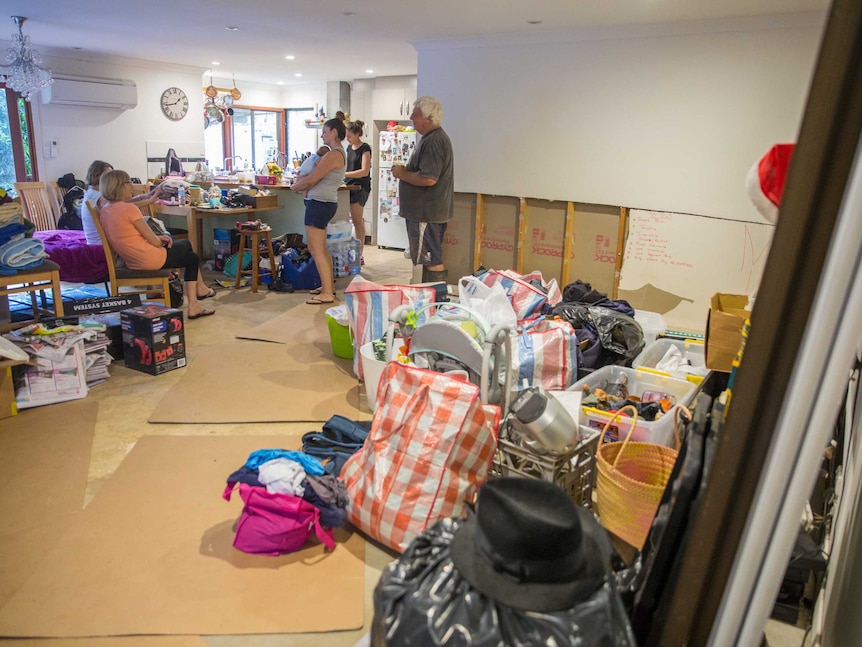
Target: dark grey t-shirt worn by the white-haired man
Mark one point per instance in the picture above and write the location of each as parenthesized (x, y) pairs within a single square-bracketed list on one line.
[(432, 158)]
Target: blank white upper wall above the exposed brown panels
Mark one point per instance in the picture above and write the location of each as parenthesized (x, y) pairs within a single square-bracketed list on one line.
[(669, 122)]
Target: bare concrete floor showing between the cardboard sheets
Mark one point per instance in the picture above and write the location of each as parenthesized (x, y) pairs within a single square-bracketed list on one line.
[(127, 399)]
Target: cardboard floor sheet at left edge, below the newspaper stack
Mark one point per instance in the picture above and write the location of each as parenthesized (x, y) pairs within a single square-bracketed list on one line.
[(46, 452)]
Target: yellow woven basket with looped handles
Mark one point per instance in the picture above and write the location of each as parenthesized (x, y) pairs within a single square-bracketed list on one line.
[(631, 480)]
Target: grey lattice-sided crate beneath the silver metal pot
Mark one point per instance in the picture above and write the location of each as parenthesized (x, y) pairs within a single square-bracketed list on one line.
[(573, 471)]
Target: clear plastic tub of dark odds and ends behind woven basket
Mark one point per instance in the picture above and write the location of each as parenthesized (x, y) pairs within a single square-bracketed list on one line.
[(639, 380)]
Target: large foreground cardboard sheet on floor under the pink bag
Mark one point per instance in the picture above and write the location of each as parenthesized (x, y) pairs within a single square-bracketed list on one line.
[(153, 554)]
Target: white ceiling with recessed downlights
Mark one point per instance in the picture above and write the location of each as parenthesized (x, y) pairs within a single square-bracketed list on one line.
[(336, 40)]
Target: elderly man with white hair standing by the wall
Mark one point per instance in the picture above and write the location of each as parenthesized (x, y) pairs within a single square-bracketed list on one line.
[(426, 187)]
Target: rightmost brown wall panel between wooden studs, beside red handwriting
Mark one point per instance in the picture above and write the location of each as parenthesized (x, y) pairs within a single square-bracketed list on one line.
[(594, 246)]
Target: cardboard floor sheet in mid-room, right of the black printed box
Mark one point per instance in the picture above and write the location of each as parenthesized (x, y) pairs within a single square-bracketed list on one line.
[(251, 381)]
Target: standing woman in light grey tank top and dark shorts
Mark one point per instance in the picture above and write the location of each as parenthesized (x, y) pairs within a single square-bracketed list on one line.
[(321, 203)]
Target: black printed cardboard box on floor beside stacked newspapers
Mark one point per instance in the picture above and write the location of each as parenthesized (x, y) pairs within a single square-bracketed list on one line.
[(153, 339)]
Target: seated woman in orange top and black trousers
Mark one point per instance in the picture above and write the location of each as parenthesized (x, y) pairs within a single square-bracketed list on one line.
[(141, 249)]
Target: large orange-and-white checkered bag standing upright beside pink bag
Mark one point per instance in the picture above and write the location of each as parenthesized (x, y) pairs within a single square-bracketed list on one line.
[(429, 449)]
